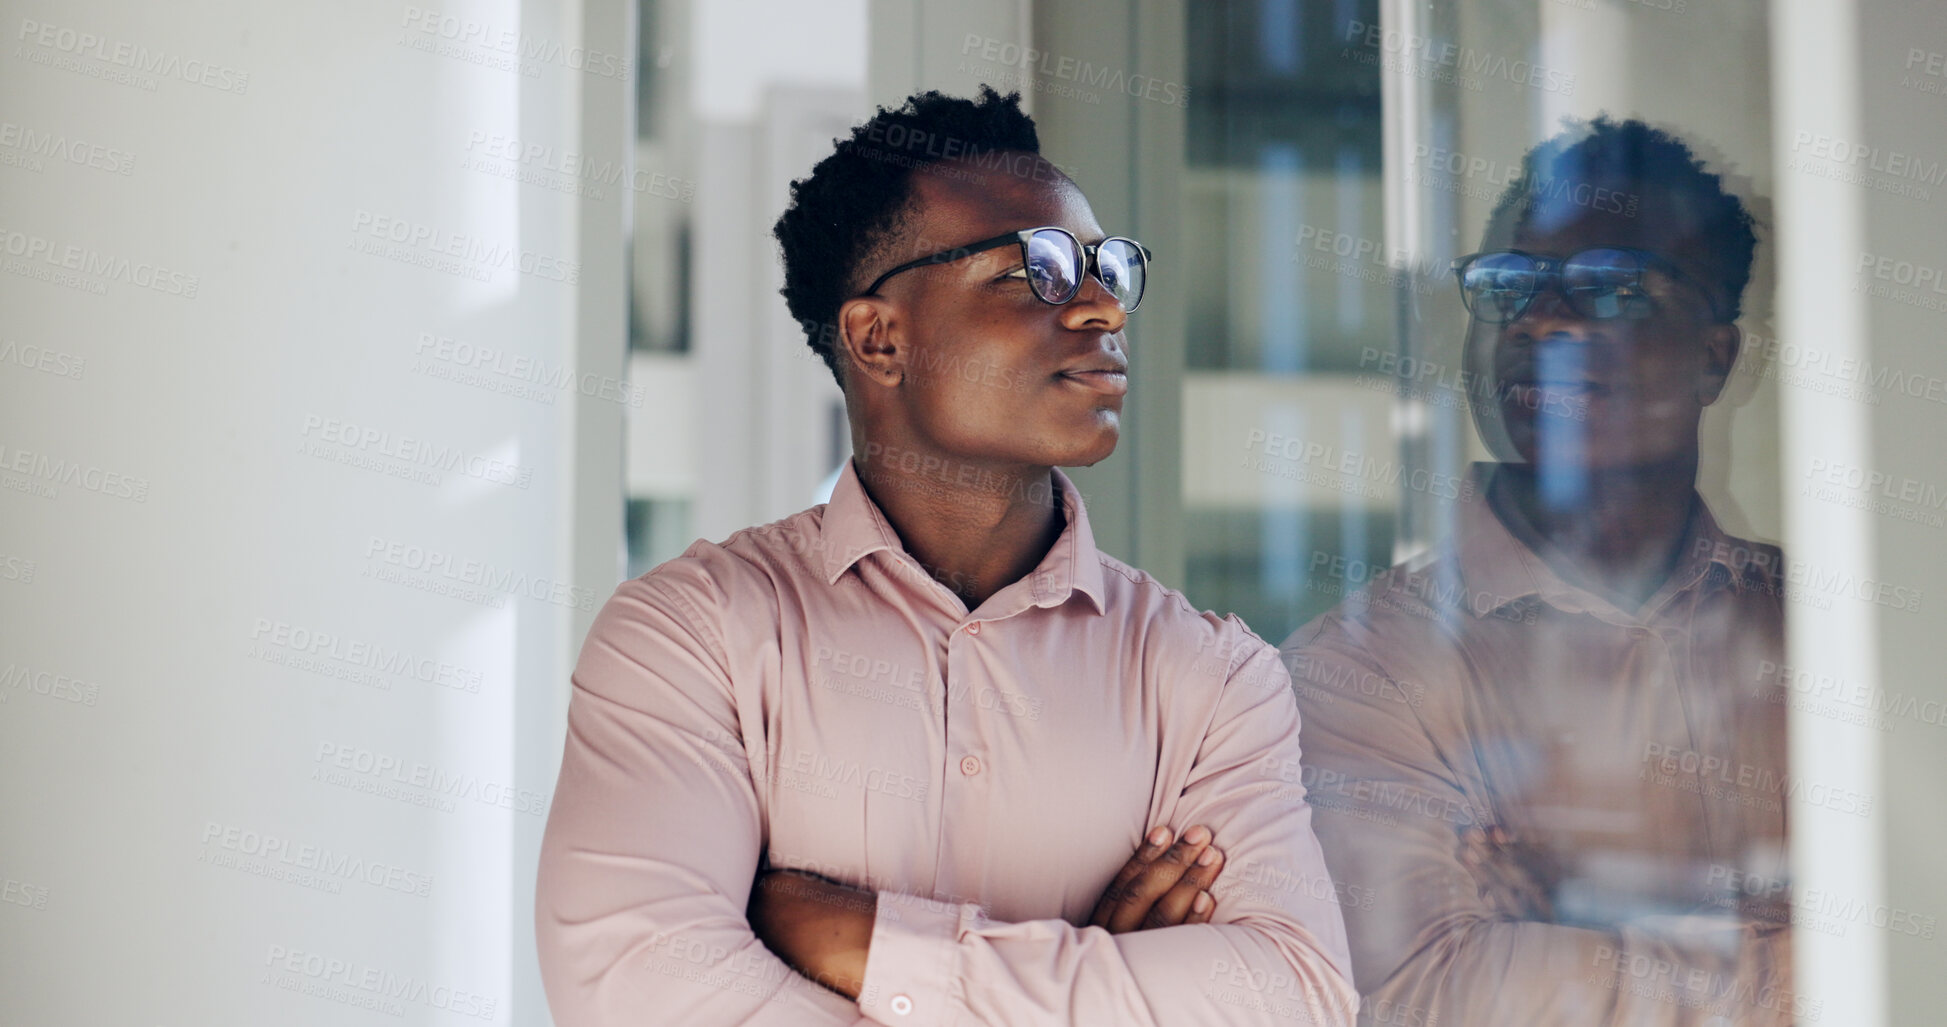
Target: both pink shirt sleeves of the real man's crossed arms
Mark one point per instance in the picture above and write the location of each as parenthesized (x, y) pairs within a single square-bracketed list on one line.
[(649, 868)]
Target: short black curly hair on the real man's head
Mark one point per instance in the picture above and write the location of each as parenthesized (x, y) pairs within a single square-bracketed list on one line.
[(856, 202)]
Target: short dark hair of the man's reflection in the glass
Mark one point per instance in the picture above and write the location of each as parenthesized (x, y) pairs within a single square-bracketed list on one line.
[(1625, 157)]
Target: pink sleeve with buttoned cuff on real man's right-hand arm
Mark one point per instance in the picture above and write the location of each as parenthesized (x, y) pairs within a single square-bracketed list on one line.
[(1272, 954)]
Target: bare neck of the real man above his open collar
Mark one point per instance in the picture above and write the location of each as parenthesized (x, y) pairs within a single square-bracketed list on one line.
[(976, 529)]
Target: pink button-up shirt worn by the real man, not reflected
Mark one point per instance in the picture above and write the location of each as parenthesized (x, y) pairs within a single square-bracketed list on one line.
[(807, 695)]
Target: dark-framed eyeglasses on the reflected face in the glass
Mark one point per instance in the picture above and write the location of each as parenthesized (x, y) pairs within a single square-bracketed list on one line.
[(1598, 284)]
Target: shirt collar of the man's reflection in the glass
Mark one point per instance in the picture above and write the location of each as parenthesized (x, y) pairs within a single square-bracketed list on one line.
[(1500, 568)]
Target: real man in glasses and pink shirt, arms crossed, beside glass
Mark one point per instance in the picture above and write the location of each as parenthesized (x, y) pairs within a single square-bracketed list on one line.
[(934, 693)]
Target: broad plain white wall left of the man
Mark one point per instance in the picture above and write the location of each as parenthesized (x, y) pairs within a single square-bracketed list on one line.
[(225, 299)]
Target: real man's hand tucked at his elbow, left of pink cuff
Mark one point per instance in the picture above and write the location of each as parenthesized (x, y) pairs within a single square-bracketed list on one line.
[(821, 929)]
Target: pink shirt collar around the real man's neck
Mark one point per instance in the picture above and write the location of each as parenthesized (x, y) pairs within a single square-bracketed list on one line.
[(854, 527)]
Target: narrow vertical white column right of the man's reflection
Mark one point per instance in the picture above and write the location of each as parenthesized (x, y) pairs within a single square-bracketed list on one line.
[(1819, 239)]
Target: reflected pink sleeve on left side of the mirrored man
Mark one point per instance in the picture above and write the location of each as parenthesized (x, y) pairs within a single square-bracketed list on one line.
[(1444, 932)]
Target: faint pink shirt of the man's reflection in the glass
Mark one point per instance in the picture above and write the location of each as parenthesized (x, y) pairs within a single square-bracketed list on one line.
[(1553, 810)]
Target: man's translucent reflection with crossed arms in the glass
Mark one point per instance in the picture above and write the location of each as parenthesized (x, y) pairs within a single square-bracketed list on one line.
[(1549, 757)]
